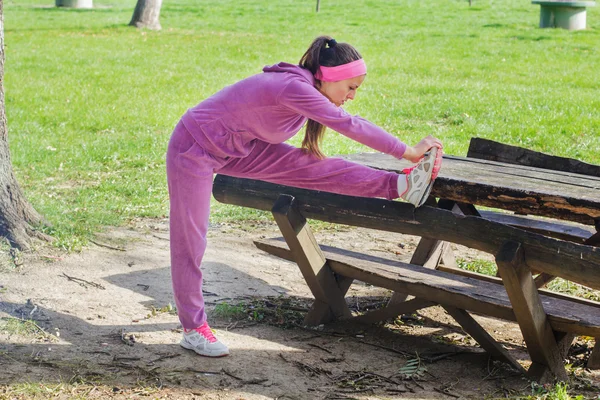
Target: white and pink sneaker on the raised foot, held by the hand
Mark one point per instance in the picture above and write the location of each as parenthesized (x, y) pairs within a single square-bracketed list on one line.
[(419, 179)]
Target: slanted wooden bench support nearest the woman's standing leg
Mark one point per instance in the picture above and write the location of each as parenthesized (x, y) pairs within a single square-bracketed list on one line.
[(328, 291)]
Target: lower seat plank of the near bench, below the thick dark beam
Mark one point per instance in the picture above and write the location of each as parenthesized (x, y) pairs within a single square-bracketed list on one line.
[(445, 288)]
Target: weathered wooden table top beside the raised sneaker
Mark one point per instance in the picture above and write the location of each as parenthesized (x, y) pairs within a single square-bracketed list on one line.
[(522, 189)]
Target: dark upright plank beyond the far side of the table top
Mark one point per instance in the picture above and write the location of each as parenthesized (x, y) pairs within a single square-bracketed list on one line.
[(494, 151)]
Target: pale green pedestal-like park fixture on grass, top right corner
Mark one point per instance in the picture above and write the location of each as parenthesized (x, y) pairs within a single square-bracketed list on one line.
[(571, 15)]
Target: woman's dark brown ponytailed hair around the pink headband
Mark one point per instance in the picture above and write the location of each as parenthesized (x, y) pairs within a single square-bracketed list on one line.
[(324, 51)]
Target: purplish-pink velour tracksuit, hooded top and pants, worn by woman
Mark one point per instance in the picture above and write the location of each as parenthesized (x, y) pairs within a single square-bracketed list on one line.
[(240, 131)]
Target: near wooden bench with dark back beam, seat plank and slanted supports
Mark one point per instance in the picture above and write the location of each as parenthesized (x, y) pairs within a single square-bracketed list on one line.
[(548, 321)]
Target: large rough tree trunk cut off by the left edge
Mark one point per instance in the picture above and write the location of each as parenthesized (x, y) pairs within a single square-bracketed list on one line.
[(17, 216)]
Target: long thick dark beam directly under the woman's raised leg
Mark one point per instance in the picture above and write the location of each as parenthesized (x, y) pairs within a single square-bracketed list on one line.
[(571, 261)]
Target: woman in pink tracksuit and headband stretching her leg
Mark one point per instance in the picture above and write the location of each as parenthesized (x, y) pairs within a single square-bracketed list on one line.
[(240, 131)]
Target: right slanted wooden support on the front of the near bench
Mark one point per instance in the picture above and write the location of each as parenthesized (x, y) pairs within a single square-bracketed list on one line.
[(524, 297)]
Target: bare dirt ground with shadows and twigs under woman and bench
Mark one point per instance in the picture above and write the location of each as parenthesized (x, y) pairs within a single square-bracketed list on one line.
[(109, 332)]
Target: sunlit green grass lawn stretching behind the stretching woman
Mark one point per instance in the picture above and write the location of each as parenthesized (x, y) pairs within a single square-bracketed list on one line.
[(91, 101)]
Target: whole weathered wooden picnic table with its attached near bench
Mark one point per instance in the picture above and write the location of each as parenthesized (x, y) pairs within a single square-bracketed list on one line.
[(527, 257)]
